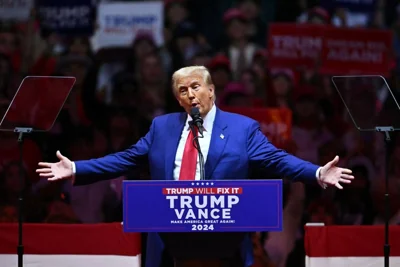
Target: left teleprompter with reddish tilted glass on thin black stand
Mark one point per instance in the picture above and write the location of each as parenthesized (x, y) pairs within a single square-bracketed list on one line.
[(34, 108)]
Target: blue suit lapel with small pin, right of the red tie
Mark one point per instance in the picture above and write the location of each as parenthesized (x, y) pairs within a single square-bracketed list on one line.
[(219, 138)]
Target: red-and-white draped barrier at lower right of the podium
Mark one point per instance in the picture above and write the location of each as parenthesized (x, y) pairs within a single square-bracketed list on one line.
[(353, 245)]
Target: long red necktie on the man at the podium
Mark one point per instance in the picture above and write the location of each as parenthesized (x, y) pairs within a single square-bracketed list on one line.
[(189, 159)]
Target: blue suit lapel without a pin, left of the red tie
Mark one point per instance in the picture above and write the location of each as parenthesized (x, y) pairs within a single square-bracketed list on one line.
[(173, 135)]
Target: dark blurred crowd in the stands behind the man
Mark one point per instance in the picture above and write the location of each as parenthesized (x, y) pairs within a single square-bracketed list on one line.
[(119, 91)]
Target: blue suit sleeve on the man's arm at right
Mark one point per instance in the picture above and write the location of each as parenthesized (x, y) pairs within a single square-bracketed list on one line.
[(276, 162)]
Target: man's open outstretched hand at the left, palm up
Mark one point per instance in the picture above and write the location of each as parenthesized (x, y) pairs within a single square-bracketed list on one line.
[(56, 171)]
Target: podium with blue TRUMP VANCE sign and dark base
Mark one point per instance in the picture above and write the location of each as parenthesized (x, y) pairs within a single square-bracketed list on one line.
[(202, 220)]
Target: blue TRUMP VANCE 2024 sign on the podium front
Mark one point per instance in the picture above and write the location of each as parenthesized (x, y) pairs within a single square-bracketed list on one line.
[(195, 206)]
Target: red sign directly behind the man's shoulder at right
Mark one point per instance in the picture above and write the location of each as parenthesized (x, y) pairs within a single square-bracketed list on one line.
[(276, 124)]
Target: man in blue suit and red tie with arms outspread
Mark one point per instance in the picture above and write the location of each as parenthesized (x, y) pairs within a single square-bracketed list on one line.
[(233, 146)]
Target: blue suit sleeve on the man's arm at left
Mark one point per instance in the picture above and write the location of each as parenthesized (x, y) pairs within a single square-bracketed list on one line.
[(114, 165)]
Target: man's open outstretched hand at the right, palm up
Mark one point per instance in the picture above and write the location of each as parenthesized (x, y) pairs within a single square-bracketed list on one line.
[(332, 175)]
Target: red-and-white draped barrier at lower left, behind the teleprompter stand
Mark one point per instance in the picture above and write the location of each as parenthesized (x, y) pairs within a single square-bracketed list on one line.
[(66, 245)]
